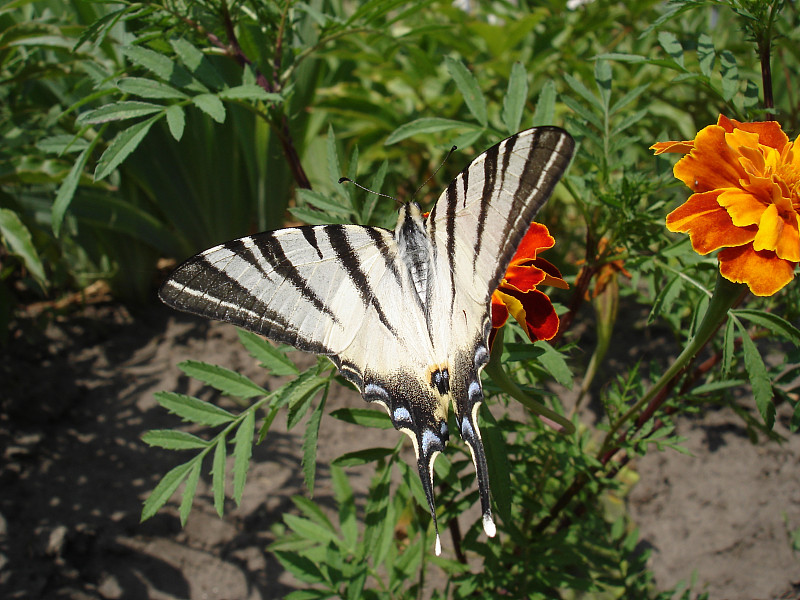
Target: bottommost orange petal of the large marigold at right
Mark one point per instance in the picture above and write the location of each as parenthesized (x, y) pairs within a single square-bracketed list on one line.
[(762, 271)]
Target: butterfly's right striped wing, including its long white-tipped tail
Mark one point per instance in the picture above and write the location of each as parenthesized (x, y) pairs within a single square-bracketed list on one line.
[(475, 228)]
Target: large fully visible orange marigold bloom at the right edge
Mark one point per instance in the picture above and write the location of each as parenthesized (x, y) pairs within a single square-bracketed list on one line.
[(746, 179)]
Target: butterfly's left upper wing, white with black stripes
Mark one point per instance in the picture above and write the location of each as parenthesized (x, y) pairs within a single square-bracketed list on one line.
[(331, 290)]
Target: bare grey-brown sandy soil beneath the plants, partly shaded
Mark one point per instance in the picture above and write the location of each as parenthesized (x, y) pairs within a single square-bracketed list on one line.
[(77, 397)]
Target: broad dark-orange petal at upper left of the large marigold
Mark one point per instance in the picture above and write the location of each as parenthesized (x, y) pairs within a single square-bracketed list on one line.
[(712, 163)]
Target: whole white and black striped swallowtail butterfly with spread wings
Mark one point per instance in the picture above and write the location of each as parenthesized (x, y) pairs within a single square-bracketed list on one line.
[(403, 314)]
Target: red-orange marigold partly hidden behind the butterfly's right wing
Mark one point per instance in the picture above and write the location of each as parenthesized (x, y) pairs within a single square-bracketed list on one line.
[(517, 294)]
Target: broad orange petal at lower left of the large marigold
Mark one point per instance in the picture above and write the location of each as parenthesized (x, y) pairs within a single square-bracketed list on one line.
[(708, 224)]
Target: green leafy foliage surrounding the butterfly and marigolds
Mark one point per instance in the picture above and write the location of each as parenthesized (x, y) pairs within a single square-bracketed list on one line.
[(136, 131)]
